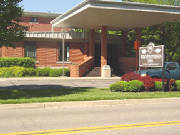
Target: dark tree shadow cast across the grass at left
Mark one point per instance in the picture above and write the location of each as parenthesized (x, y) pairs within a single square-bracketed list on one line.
[(34, 91)]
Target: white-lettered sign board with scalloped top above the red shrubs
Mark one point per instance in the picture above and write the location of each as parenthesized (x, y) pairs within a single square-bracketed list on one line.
[(151, 56)]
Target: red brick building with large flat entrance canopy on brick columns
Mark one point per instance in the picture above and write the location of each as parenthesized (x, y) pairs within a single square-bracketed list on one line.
[(89, 48)]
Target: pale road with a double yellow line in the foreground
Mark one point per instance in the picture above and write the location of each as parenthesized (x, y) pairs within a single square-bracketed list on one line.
[(143, 117)]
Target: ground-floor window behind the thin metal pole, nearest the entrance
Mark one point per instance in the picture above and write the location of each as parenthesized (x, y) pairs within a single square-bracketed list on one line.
[(66, 52)]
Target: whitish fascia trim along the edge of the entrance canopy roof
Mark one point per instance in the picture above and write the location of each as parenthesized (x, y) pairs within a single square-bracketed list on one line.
[(115, 5)]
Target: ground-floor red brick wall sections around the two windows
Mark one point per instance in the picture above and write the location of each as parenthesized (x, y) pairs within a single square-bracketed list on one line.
[(47, 53)]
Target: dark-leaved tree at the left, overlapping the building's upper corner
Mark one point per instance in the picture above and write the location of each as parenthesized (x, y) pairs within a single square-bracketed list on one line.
[(10, 16)]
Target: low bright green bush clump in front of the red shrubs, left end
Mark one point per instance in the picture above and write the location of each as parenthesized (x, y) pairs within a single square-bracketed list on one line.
[(131, 86)]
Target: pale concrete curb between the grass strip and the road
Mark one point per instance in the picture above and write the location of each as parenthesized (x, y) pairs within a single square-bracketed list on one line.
[(85, 103)]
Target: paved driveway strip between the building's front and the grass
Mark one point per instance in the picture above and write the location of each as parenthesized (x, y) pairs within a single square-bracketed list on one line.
[(56, 82)]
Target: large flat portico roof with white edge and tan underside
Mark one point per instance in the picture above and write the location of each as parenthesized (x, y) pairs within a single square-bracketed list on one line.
[(114, 14)]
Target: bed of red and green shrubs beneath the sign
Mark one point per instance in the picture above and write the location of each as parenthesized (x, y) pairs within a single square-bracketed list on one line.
[(148, 83)]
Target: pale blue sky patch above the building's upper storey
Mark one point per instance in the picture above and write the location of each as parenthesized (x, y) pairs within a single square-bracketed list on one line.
[(52, 6)]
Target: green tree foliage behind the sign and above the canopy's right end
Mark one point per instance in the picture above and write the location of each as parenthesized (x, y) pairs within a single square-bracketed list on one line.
[(162, 34)]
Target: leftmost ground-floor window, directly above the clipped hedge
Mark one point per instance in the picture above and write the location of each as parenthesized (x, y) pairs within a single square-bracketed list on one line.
[(30, 49)]
